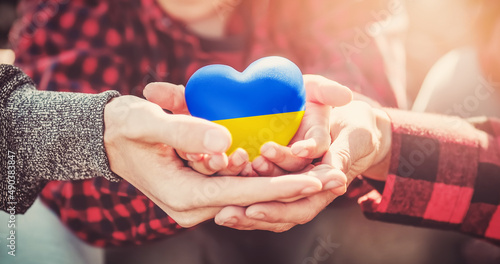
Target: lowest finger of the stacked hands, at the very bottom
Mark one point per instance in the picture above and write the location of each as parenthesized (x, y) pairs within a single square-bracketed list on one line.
[(234, 217)]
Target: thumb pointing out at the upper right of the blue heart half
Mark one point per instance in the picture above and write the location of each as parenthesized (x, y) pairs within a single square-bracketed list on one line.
[(324, 91)]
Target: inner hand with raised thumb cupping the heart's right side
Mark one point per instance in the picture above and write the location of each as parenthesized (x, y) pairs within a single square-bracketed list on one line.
[(312, 139)]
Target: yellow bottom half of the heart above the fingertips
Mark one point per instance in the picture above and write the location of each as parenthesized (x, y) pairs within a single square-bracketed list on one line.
[(250, 133)]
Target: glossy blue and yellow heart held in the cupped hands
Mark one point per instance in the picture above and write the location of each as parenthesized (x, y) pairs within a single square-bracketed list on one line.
[(265, 102)]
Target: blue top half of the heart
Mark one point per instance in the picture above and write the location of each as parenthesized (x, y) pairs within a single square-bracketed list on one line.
[(271, 85)]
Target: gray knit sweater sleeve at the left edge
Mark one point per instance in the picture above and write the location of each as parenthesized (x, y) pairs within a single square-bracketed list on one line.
[(47, 136)]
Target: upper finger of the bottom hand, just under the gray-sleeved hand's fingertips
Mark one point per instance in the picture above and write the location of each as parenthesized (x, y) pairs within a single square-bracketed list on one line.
[(298, 212)]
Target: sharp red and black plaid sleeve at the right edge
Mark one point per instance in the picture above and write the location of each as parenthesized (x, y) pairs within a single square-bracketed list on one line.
[(445, 173)]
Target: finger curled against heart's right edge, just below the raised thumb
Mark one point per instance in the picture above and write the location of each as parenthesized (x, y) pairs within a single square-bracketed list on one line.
[(314, 132)]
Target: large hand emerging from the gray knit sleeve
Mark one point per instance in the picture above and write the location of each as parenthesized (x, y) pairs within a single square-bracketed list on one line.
[(140, 140)]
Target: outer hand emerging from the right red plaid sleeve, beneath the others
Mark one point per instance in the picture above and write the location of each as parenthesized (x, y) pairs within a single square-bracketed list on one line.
[(361, 142)]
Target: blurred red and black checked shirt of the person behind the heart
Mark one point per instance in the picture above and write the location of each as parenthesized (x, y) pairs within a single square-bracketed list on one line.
[(93, 46)]
